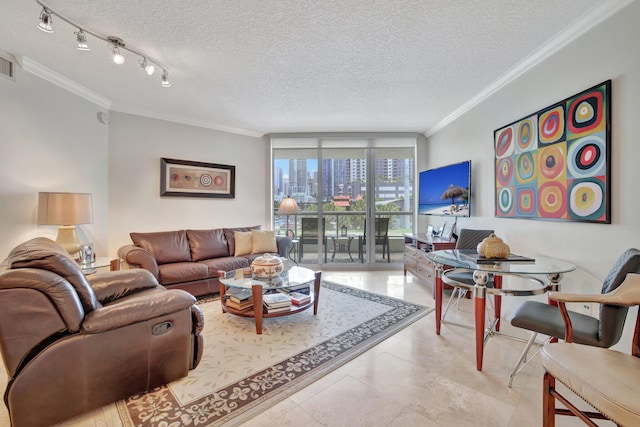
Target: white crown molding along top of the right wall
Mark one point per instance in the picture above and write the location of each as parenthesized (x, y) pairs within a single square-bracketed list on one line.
[(586, 23)]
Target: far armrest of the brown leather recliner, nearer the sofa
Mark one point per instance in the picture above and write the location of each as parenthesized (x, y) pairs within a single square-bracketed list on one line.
[(110, 286)]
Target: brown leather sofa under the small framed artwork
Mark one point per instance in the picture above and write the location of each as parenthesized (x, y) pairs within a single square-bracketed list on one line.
[(190, 259)]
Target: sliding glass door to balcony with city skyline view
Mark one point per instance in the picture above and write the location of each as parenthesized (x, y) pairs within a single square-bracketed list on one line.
[(354, 196)]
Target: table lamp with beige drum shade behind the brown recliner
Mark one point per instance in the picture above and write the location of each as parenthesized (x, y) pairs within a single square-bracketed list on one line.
[(66, 210)]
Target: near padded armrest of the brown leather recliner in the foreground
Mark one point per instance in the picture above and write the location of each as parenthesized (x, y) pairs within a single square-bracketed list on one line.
[(135, 310)]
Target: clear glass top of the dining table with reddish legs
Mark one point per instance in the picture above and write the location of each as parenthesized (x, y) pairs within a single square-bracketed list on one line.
[(539, 265)]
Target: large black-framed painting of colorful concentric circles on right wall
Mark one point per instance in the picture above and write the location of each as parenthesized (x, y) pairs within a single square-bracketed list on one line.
[(555, 164)]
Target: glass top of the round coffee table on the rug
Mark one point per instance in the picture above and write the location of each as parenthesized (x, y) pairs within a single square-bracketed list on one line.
[(292, 277)]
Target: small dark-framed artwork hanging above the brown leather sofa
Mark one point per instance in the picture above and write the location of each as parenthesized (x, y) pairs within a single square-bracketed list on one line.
[(183, 178)]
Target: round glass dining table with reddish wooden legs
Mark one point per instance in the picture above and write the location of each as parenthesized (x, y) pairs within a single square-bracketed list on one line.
[(487, 272)]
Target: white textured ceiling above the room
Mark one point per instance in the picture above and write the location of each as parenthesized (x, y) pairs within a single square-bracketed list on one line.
[(259, 66)]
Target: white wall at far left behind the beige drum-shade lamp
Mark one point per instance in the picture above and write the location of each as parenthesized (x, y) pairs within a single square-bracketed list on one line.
[(50, 140)]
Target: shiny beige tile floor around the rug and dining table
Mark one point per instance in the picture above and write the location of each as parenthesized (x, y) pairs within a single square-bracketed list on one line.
[(416, 378)]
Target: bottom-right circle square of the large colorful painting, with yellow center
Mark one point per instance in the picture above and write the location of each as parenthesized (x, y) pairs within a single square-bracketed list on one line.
[(586, 199)]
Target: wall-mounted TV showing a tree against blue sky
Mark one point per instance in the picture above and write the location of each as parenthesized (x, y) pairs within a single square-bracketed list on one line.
[(445, 190)]
